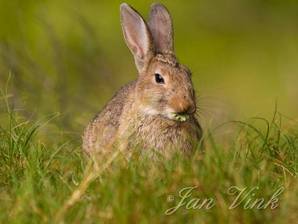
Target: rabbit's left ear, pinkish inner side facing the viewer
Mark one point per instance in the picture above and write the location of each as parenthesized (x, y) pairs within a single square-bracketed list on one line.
[(137, 35)]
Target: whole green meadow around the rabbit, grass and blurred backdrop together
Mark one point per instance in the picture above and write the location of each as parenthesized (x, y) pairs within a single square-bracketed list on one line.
[(60, 61)]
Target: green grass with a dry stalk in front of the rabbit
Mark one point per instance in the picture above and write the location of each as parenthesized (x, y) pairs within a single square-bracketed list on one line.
[(57, 183)]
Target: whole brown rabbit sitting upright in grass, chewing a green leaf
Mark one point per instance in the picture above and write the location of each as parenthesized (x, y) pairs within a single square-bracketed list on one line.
[(157, 111)]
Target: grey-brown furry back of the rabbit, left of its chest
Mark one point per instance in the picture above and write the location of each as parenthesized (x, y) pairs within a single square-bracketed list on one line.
[(102, 130)]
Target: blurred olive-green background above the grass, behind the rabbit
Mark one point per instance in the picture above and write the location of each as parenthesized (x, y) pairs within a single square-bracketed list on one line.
[(69, 57)]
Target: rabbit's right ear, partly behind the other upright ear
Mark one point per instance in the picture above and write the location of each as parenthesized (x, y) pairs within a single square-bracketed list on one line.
[(160, 24)]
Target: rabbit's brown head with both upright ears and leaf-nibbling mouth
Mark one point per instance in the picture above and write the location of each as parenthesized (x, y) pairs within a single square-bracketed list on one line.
[(164, 86)]
